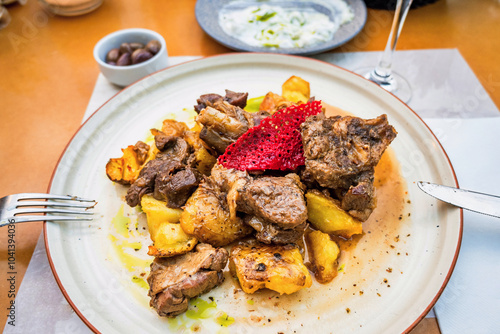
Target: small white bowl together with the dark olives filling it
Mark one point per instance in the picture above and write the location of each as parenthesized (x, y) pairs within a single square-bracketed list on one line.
[(128, 55)]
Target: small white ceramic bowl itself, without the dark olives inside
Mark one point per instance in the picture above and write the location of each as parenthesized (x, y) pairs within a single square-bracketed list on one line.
[(125, 75)]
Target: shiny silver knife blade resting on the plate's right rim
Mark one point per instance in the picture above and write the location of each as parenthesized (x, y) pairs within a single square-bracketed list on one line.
[(467, 199)]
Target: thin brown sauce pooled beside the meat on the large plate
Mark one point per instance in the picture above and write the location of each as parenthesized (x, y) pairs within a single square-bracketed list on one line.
[(365, 259)]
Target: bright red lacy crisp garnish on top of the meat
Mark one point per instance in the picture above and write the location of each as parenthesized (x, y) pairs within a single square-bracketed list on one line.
[(275, 143)]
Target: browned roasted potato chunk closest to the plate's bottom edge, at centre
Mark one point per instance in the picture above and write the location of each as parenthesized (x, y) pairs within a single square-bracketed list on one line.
[(278, 268)]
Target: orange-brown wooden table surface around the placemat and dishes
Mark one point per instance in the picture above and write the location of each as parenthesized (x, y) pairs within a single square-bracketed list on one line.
[(47, 73)]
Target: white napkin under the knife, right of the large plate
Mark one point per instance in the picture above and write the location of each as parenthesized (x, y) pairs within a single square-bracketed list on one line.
[(471, 300)]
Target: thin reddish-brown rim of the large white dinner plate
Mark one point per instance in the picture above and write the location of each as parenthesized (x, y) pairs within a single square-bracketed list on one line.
[(230, 55)]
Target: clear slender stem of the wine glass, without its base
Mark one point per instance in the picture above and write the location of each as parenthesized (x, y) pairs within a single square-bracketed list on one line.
[(383, 69)]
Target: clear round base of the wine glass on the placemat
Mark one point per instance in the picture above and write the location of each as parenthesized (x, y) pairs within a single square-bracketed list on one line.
[(394, 83)]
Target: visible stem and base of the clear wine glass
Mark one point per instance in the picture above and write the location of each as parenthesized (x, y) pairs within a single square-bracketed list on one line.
[(382, 74)]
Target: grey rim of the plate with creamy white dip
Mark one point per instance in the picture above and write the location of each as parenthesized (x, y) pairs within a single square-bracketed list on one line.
[(300, 52)]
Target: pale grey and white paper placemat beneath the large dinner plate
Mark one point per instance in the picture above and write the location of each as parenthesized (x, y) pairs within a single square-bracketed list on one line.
[(459, 111)]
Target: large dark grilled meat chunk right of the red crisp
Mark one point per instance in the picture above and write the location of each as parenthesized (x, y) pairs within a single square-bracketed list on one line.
[(337, 149)]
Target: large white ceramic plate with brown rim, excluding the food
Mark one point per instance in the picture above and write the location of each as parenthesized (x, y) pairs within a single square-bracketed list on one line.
[(395, 285)]
